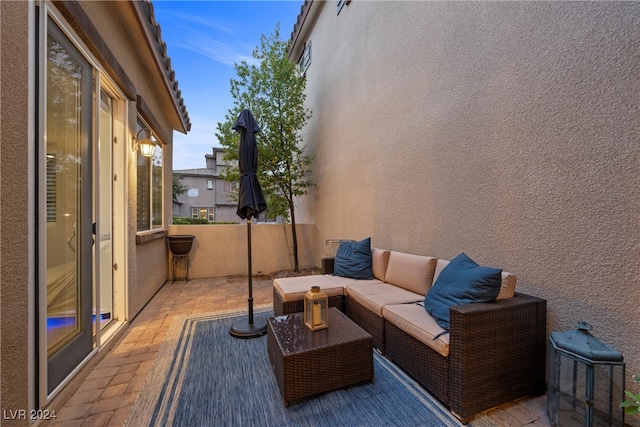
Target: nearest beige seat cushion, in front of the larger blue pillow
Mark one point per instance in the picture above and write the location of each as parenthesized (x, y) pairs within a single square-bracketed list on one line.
[(414, 320)]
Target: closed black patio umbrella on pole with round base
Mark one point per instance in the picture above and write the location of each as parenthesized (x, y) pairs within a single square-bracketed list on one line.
[(250, 203)]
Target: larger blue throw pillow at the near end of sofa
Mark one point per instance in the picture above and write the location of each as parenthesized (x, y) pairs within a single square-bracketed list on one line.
[(462, 281)]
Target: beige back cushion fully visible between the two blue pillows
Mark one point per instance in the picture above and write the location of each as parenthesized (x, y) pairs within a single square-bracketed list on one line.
[(411, 272)]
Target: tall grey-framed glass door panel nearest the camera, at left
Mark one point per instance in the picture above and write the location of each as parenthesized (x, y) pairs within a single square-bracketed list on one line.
[(68, 234)]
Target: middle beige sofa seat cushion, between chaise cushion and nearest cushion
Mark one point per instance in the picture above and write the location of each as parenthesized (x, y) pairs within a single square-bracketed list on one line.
[(376, 296)]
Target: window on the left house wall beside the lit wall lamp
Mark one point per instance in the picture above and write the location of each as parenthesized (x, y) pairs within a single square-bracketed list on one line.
[(150, 212)]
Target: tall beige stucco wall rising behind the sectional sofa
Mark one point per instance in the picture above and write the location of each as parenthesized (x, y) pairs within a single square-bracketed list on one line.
[(507, 130)]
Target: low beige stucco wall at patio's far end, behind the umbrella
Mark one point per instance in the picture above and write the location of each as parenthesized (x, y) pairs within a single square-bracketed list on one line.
[(221, 249)]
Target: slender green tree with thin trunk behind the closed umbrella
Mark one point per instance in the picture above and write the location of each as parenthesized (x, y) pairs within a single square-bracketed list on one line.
[(275, 93)]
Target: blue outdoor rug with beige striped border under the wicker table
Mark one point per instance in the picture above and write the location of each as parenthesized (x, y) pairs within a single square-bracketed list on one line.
[(203, 376)]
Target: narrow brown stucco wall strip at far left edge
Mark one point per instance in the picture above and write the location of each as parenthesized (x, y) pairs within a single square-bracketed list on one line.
[(15, 281)]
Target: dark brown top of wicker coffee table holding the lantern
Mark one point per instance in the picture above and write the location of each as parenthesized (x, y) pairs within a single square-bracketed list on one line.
[(294, 337)]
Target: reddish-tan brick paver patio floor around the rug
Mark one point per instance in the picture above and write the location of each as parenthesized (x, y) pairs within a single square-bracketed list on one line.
[(107, 394)]
